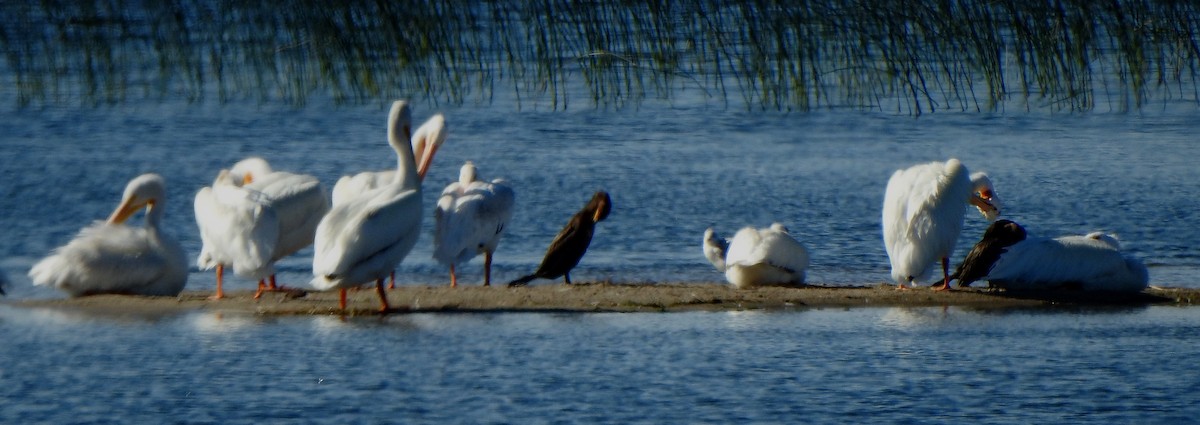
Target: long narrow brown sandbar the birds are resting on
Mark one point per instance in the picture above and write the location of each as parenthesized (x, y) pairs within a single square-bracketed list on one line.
[(604, 298)]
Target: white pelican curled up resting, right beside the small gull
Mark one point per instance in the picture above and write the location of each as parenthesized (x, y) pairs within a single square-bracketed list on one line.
[(765, 258)]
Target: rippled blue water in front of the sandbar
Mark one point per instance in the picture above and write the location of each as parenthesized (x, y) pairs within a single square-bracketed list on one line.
[(861, 366)]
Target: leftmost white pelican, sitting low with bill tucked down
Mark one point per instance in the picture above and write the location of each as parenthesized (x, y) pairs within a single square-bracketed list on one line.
[(111, 258)]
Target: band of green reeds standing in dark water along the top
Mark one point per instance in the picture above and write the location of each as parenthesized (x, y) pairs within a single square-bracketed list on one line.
[(891, 56)]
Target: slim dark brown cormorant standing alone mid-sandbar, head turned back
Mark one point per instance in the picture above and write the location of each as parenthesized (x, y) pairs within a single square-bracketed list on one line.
[(572, 242)]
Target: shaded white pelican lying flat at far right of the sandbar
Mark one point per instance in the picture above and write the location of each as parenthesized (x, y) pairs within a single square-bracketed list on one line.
[(1091, 262)]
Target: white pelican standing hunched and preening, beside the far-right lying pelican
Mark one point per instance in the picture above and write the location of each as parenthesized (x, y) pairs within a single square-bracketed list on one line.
[(923, 213)]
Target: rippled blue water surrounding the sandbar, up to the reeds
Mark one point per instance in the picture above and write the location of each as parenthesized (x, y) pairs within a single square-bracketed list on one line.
[(673, 171)]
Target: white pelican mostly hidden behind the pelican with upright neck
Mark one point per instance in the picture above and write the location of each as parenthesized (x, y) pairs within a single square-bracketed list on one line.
[(427, 142)]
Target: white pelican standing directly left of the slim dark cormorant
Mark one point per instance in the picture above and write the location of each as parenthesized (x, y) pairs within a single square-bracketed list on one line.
[(471, 219)]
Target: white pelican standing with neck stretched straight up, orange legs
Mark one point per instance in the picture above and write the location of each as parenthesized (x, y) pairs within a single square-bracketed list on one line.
[(368, 236)]
